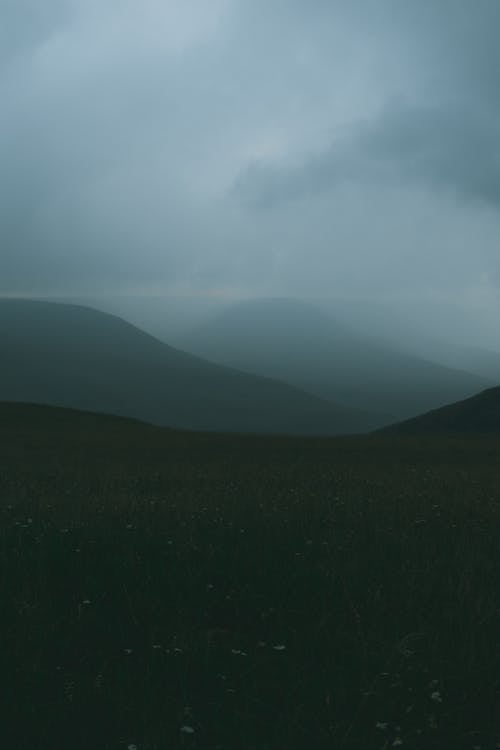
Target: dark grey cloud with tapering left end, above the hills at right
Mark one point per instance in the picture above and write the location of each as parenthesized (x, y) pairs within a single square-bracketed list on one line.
[(444, 148)]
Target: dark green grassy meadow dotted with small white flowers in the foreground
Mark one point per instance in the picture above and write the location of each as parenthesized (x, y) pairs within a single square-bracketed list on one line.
[(166, 590)]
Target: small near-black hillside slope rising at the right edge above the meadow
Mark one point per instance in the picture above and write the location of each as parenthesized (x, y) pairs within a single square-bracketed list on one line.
[(478, 415)]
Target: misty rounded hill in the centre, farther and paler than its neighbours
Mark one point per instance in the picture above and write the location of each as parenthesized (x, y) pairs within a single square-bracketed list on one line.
[(302, 345)]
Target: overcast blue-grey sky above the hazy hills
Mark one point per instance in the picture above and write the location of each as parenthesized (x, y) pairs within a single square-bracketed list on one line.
[(251, 148)]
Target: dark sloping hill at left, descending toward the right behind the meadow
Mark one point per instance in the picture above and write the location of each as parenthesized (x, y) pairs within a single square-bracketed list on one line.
[(77, 357)]
